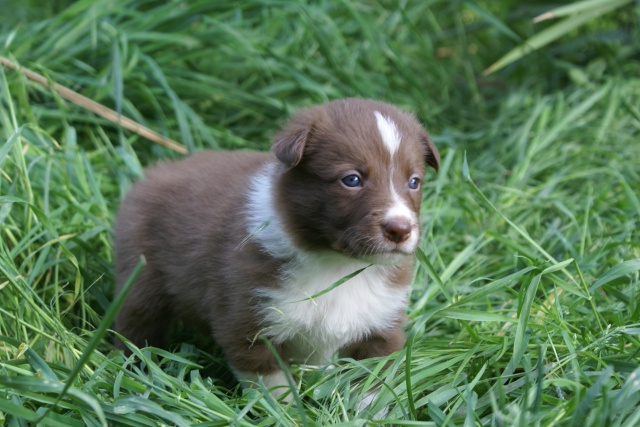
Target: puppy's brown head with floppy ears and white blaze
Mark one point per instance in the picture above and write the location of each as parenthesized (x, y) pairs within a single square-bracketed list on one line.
[(353, 179)]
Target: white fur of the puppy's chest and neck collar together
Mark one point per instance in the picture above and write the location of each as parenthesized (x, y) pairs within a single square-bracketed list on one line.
[(316, 328)]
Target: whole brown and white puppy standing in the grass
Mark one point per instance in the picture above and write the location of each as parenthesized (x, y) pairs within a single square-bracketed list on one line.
[(237, 242)]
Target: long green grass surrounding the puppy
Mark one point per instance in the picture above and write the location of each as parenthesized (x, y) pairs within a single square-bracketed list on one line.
[(526, 304)]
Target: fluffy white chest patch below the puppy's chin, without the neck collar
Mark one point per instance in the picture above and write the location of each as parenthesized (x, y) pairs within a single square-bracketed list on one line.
[(319, 326)]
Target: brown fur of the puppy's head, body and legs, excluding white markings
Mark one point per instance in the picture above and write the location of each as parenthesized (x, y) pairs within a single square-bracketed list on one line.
[(187, 218)]
